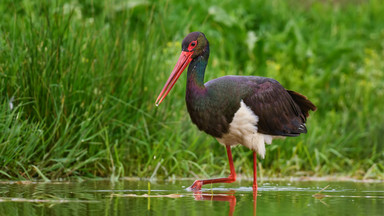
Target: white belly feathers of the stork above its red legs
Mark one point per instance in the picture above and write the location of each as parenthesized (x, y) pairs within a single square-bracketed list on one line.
[(243, 130)]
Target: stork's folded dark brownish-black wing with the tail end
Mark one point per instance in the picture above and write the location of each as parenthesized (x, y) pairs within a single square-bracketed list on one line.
[(281, 112)]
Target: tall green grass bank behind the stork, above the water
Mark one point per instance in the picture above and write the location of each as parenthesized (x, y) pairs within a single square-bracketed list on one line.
[(84, 76)]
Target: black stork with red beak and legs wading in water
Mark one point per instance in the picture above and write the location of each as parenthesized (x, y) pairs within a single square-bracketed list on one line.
[(246, 110)]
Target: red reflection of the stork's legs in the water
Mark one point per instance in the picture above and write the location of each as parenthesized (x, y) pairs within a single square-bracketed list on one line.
[(226, 197)]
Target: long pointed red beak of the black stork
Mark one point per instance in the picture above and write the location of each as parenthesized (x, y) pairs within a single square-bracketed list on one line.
[(182, 63)]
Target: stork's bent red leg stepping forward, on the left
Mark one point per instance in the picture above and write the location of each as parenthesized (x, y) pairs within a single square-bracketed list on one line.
[(196, 186)]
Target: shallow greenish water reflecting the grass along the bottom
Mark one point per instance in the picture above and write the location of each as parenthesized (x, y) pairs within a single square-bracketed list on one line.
[(171, 198)]
